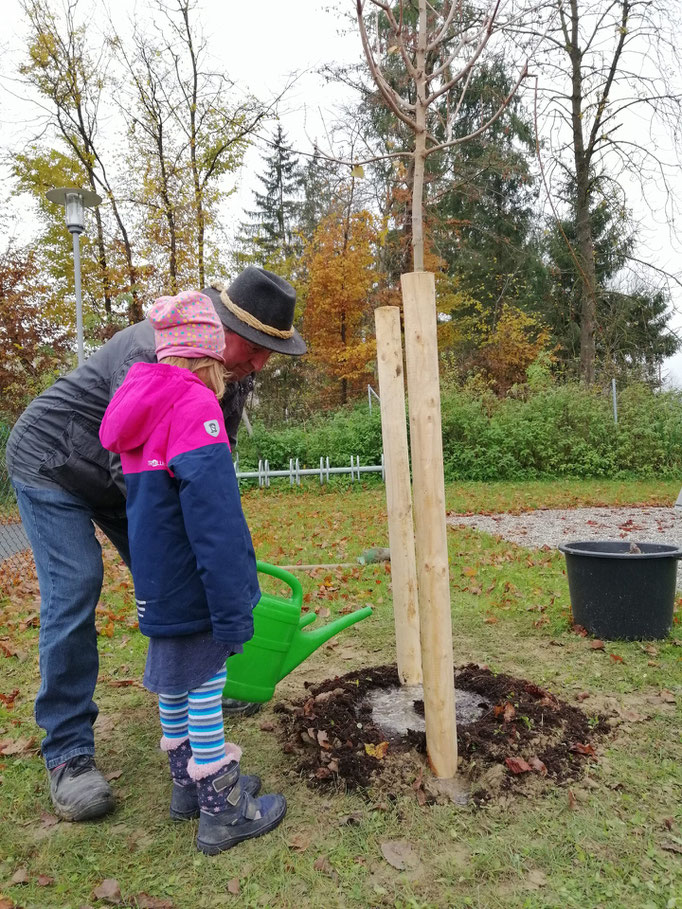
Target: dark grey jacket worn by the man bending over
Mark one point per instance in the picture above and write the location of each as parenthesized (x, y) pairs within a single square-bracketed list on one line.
[(56, 439)]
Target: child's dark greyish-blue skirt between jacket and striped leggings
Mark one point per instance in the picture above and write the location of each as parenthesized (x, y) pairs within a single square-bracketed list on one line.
[(179, 664)]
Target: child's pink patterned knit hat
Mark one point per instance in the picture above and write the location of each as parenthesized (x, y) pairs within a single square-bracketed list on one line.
[(187, 325)]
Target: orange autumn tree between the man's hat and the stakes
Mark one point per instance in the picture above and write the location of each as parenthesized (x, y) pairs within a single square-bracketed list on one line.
[(340, 264)]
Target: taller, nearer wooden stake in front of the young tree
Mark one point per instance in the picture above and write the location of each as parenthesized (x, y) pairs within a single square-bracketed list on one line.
[(426, 445)]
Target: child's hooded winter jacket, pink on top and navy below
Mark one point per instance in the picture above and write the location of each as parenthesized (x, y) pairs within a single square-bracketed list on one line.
[(193, 563)]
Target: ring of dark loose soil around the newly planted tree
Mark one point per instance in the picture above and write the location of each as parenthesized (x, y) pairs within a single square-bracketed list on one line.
[(526, 733)]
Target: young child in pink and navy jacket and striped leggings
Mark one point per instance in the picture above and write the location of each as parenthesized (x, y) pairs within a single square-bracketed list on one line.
[(193, 563)]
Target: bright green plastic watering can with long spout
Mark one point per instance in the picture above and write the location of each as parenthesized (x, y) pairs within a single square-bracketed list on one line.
[(278, 644)]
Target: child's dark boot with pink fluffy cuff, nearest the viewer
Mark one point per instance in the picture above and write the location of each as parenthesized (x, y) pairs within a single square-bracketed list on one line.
[(229, 815)]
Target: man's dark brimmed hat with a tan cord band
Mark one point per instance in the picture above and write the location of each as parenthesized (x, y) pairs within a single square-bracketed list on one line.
[(259, 306)]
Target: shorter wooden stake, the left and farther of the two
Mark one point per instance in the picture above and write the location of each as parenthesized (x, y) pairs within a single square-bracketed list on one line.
[(398, 494)]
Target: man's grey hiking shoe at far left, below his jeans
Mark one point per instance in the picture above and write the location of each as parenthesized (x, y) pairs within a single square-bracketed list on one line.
[(79, 791)]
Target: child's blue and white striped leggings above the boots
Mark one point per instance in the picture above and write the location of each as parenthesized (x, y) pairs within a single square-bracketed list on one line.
[(199, 714)]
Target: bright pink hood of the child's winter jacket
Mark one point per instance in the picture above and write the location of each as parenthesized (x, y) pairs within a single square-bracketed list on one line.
[(142, 402)]
